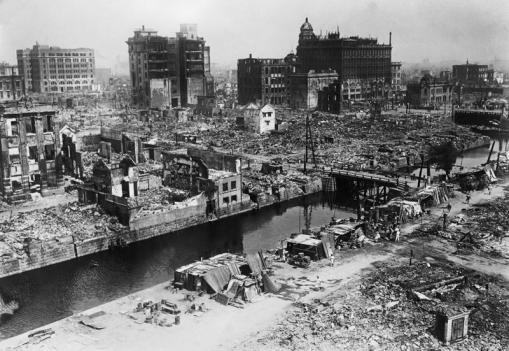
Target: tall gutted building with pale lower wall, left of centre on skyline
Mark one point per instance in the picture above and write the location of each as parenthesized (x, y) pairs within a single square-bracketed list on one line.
[(180, 66)]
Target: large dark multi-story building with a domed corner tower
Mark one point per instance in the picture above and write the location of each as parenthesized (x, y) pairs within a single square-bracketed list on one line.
[(351, 57)]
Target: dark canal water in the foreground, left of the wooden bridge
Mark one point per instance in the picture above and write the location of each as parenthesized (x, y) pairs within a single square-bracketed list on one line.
[(55, 292)]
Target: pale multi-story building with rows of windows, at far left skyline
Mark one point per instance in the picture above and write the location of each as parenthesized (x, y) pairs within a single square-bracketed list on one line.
[(50, 69)]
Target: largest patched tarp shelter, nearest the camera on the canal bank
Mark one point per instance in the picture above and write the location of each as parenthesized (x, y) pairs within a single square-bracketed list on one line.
[(211, 275)]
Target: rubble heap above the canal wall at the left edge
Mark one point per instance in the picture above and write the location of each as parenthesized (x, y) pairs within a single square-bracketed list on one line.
[(72, 220)]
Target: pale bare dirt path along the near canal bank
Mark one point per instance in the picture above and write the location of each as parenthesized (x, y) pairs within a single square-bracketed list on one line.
[(217, 329)]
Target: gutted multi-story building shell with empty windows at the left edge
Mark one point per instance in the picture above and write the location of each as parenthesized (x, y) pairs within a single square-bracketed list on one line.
[(30, 154)]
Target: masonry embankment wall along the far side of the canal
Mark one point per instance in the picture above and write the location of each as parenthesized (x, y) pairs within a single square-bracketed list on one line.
[(45, 253)]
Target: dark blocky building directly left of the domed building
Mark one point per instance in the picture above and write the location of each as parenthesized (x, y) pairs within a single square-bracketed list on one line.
[(263, 80)]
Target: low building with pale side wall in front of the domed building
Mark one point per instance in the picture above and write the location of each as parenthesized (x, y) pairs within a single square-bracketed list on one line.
[(303, 88)]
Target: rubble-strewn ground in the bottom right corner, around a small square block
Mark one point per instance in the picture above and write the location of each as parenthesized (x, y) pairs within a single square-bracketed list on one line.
[(383, 313)]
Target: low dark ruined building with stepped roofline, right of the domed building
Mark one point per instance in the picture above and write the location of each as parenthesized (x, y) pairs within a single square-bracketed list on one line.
[(429, 92)]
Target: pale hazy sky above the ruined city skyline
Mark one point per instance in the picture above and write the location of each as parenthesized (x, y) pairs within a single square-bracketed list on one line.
[(433, 29)]
